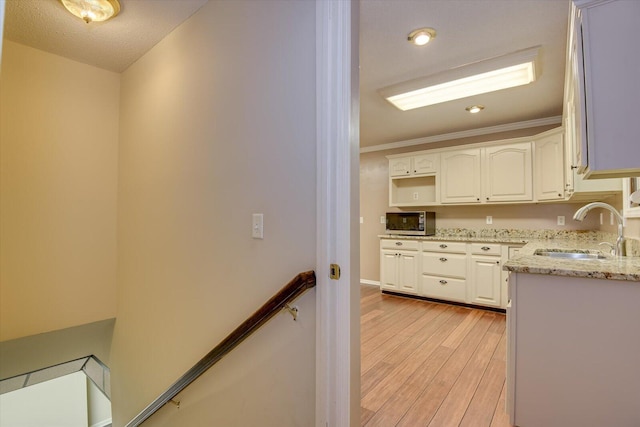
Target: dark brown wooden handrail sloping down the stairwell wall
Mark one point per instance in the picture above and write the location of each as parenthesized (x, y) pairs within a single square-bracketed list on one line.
[(296, 287)]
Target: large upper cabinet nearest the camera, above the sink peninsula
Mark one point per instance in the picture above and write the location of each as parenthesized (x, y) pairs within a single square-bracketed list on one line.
[(602, 90)]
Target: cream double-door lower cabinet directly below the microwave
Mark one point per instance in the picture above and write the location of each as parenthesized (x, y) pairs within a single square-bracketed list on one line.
[(399, 266)]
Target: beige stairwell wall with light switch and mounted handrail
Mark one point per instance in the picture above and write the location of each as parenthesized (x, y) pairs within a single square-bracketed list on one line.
[(217, 123)]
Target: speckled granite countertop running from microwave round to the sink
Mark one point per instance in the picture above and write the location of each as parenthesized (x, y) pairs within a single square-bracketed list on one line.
[(611, 268)]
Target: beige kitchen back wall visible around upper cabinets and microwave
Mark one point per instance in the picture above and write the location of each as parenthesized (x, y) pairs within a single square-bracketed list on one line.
[(374, 202)]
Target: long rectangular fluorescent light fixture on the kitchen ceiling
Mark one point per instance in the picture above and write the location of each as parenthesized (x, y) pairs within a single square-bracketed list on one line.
[(515, 69)]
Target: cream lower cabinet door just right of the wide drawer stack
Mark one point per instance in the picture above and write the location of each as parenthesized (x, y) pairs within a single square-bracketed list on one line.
[(485, 281)]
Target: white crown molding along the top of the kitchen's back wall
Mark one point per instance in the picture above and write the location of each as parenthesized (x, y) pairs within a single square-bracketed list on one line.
[(464, 134)]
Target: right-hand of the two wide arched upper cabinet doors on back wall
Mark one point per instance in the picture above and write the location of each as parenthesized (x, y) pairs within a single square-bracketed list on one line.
[(508, 173)]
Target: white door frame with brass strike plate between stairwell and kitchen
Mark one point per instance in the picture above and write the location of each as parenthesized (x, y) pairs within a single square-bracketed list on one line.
[(338, 232)]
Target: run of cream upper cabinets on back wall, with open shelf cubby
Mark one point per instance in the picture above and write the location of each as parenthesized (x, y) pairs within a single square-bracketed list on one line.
[(540, 168)]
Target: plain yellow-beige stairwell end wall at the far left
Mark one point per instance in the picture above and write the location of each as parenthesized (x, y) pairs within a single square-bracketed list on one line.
[(58, 188)]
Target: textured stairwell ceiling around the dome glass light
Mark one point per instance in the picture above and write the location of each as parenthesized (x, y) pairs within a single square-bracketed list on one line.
[(112, 45)]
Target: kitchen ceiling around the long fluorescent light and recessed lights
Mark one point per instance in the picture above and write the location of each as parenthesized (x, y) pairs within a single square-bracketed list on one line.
[(467, 31)]
